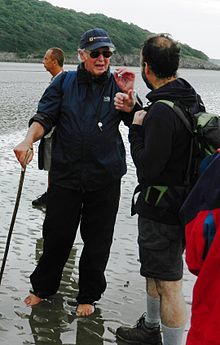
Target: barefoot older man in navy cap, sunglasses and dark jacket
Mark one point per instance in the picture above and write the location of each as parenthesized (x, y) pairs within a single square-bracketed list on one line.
[(88, 162)]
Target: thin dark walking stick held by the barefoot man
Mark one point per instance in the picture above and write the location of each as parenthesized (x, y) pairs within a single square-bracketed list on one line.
[(14, 213)]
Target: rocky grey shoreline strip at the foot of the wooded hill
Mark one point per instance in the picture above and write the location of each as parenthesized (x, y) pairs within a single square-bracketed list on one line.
[(117, 60)]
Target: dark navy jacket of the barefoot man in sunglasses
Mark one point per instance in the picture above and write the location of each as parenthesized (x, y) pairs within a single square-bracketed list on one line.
[(87, 152)]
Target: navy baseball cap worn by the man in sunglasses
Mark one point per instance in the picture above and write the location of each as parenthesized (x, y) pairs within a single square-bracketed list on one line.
[(94, 39)]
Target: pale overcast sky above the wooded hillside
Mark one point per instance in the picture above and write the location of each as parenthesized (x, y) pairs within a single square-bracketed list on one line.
[(194, 22)]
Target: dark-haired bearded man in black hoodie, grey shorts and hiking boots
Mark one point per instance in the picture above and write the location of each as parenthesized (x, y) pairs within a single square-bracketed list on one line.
[(160, 148)]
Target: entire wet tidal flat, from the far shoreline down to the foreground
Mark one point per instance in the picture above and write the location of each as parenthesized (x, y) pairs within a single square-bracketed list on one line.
[(53, 321)]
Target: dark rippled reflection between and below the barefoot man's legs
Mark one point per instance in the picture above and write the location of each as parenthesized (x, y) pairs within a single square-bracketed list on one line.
[(54, 320)]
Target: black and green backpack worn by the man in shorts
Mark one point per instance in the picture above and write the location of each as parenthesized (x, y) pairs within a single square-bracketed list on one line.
[(205, 139)]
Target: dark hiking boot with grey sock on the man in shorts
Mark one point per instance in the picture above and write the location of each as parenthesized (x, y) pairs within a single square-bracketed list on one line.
[(140, 334)]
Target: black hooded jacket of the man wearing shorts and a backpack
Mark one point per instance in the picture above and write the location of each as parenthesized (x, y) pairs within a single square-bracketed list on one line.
[(160, 148)]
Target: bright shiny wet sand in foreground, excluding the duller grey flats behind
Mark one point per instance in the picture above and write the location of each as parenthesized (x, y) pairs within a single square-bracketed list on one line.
[(53, 321)]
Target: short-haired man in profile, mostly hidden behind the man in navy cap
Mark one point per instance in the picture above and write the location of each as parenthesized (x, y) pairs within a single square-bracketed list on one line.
[(53, 62)]
